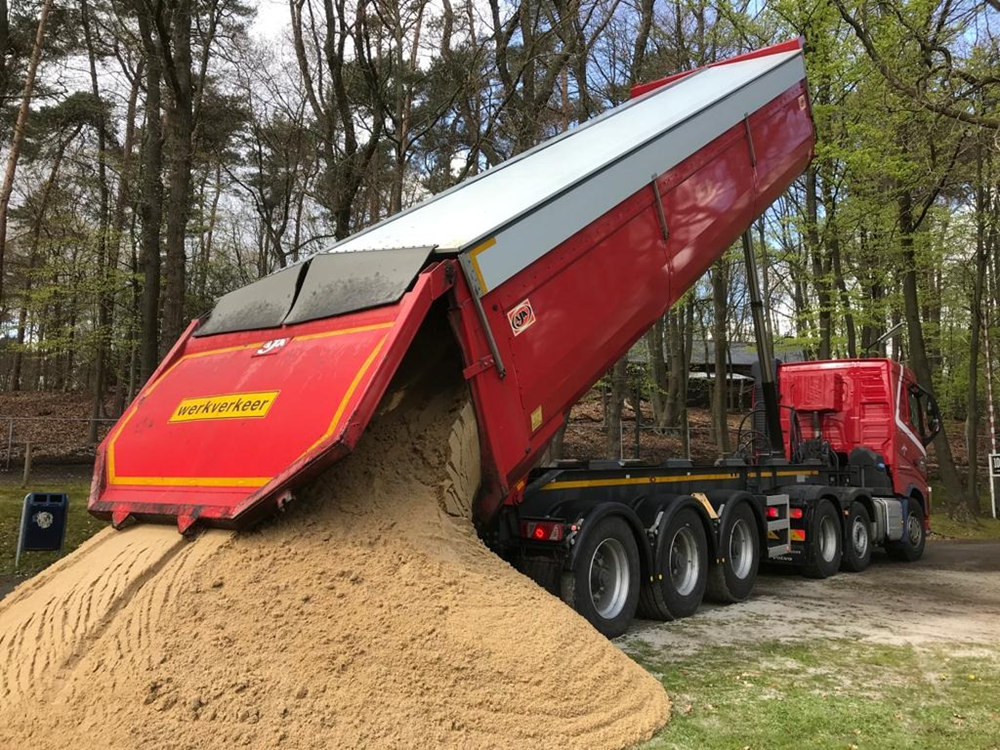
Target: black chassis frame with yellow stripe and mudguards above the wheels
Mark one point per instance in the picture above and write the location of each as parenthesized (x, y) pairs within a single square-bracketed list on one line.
[(578, 494)]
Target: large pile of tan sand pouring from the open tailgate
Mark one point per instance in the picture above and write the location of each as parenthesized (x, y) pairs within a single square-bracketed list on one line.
[(368, 615)]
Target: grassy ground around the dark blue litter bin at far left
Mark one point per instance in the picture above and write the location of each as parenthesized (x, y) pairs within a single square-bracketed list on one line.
[(80, 524)]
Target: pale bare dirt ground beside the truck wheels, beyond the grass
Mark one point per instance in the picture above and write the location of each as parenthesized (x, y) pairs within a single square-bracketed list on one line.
[(951, 596)]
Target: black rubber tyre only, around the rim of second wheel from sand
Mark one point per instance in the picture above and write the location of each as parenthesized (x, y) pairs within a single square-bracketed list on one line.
[(659, 599)]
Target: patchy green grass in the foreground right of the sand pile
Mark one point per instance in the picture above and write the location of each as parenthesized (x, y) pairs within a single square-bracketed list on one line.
[(827, 694)]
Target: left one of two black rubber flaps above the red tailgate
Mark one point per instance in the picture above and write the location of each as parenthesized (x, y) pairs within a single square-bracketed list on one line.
[(262, 304)]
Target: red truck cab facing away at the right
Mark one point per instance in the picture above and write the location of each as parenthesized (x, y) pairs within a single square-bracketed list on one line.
[(873, 404)]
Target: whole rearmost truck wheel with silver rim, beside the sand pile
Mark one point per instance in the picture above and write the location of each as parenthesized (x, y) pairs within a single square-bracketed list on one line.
[(604, 583)]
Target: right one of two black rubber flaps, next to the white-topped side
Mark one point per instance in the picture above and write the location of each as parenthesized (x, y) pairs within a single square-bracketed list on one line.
[(339, 283)]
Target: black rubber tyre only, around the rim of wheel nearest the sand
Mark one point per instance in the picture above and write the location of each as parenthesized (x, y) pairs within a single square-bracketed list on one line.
[(575, 584)]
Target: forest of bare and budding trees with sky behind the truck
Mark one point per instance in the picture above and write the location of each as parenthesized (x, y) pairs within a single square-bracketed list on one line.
[(159, 153)]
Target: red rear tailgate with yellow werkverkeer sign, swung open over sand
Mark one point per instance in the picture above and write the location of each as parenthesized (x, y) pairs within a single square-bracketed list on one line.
[(230, 422)]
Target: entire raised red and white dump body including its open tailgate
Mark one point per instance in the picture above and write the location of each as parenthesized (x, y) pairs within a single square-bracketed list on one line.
[(551, 264)]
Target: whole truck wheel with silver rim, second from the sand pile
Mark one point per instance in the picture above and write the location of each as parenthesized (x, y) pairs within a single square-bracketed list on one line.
[(681, 569)]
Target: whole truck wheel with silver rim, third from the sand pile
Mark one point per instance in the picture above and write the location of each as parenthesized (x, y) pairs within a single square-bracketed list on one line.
[(731, 578)]
